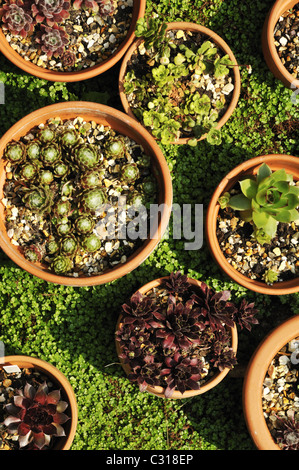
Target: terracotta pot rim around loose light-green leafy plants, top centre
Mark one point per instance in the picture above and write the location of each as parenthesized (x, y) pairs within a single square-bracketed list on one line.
[(217, 40)]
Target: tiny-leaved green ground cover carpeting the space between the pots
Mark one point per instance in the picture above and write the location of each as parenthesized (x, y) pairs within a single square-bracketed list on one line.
[(73, 328)]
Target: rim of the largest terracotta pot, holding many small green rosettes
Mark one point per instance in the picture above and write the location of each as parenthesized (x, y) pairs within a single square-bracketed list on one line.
[(140, 133)]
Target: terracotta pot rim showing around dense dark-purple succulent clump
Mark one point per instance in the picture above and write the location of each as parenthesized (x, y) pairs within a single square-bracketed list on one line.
[(159, 391)]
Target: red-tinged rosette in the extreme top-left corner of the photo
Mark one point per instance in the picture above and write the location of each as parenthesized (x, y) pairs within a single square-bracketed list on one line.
[(16, 19)]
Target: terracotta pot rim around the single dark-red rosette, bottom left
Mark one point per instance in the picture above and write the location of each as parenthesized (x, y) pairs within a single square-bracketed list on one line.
[(62, 381)]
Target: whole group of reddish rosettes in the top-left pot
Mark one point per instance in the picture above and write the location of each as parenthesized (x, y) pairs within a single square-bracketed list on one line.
[(45, 19)]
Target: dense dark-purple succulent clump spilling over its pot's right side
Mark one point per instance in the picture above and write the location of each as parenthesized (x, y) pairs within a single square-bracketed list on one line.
[(177, 336)]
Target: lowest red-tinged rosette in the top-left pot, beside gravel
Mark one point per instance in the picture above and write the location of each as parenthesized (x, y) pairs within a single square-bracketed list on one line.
[(52, 40)]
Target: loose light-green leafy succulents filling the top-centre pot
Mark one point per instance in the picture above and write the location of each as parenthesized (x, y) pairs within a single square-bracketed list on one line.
[(173, 80)]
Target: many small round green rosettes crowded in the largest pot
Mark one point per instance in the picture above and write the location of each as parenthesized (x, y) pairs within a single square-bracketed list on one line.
[(62, 188)]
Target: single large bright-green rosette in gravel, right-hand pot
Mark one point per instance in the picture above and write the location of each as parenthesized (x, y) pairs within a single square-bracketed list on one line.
[(266, 200)]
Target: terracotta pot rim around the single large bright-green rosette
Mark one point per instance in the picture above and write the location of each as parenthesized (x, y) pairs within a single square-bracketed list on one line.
[(276, 162)]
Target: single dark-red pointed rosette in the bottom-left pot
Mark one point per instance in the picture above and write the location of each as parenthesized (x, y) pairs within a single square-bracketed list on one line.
[(36, 415)]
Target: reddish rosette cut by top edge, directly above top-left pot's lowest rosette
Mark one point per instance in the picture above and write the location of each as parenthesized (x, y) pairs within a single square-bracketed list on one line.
[(50, 11)]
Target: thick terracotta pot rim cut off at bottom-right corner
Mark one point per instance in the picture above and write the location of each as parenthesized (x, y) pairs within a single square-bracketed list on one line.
[(254, 378)]
